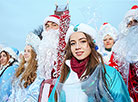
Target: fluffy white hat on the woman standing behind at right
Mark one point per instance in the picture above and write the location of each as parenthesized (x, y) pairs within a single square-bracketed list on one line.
[(105, 29)]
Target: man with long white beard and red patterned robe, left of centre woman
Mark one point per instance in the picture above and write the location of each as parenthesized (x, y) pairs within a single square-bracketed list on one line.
[(50, 54)]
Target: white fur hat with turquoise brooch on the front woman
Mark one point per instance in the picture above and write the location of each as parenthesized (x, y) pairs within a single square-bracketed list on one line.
[(81, 28)]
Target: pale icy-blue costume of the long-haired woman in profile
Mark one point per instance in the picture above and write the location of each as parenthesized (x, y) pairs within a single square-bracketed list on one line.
[(21, 94)]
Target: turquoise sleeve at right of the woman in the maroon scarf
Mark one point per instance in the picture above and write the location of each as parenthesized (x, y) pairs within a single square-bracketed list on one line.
[(117, 87)]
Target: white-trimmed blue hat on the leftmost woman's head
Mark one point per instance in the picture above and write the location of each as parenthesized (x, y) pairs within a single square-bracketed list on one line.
[(12, 51)]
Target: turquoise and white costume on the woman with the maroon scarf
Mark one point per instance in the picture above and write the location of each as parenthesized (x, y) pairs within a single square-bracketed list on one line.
[(93, 88)]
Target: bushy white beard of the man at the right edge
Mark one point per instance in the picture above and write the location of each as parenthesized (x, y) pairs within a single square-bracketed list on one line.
[(127, 45)]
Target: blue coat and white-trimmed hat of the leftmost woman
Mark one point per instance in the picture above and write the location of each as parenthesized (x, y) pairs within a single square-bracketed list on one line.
[(7, 73)]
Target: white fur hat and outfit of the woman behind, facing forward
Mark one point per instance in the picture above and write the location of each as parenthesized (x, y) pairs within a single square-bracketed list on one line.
[(107, 54)]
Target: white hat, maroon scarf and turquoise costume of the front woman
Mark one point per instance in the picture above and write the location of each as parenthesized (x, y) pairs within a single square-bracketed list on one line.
[(91, 88)]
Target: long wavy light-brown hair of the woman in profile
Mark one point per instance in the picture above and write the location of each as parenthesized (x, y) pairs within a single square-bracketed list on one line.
[(28, 73)]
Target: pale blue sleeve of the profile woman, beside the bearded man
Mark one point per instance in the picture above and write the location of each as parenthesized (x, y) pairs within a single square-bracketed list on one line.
[(33, 91)]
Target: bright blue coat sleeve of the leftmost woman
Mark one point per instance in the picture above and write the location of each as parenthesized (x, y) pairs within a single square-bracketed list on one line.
[(5, 83)]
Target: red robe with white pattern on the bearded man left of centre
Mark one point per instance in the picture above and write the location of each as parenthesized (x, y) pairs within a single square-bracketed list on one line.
[(64, 25)]
